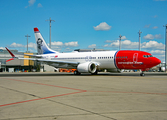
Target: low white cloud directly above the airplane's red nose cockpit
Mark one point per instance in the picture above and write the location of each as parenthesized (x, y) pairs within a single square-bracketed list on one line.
[(153, 45)]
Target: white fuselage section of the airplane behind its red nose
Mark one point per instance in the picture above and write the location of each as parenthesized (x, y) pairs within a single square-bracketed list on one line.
[(104, 59)]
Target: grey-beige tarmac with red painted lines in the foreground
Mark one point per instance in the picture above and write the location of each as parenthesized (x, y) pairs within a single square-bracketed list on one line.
[(64, 96)]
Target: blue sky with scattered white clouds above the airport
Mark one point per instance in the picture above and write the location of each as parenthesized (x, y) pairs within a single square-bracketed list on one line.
[(85, 24)]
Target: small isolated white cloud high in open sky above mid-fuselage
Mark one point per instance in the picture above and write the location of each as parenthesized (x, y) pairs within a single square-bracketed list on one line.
[(102, 26)]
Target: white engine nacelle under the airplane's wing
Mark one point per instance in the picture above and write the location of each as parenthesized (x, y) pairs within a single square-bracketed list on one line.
[(87, 67)]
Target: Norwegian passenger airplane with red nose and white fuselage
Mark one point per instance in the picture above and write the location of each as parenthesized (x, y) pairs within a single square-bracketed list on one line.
[(92, 62)]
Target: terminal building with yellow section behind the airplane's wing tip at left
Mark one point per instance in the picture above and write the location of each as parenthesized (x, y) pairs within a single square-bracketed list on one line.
[(16, 65)]
